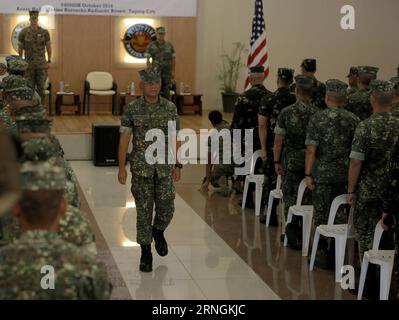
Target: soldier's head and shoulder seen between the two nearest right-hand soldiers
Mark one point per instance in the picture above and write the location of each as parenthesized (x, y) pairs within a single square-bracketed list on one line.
[(359, 102)]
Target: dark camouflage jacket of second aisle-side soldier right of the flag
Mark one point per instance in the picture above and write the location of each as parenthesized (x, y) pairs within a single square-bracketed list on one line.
[(271, 106)]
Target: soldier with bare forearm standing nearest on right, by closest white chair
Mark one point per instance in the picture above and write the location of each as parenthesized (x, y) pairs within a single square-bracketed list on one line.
[(372, 148)]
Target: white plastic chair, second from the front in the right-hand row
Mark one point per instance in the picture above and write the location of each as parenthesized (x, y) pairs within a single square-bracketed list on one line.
[(337, 231)]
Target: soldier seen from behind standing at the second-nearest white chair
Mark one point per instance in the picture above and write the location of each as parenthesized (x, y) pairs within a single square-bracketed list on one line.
[(329, 140)]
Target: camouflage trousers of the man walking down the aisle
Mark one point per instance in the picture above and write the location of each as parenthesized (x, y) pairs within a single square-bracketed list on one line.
[(147, 192)]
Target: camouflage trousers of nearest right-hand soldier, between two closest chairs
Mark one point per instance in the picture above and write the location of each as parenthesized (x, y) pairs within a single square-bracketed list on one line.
[(367, 214)]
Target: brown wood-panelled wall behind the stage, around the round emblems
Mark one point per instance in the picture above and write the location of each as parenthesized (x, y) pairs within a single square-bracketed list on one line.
[(87, 43)]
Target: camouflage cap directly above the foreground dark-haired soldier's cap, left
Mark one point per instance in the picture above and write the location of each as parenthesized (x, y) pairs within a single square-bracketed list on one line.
[(39, 149)]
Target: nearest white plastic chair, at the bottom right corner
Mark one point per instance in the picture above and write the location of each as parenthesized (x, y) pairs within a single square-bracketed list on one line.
[(383, 258)]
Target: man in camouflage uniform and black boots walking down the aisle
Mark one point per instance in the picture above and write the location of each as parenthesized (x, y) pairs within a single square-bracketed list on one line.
[(151, 183)]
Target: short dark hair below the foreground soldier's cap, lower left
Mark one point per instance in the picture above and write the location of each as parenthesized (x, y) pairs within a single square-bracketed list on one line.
[(40, 207)]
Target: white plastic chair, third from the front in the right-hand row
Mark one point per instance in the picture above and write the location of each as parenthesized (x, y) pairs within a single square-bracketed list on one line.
[(306, 212)]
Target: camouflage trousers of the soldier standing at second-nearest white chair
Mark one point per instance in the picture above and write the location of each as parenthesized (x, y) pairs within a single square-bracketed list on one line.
[(322, 196)]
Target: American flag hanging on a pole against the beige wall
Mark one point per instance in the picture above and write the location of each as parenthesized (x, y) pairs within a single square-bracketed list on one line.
[(258, 55)]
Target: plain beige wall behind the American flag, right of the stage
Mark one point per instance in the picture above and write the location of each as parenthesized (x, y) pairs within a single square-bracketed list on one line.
[(297, 29)]
